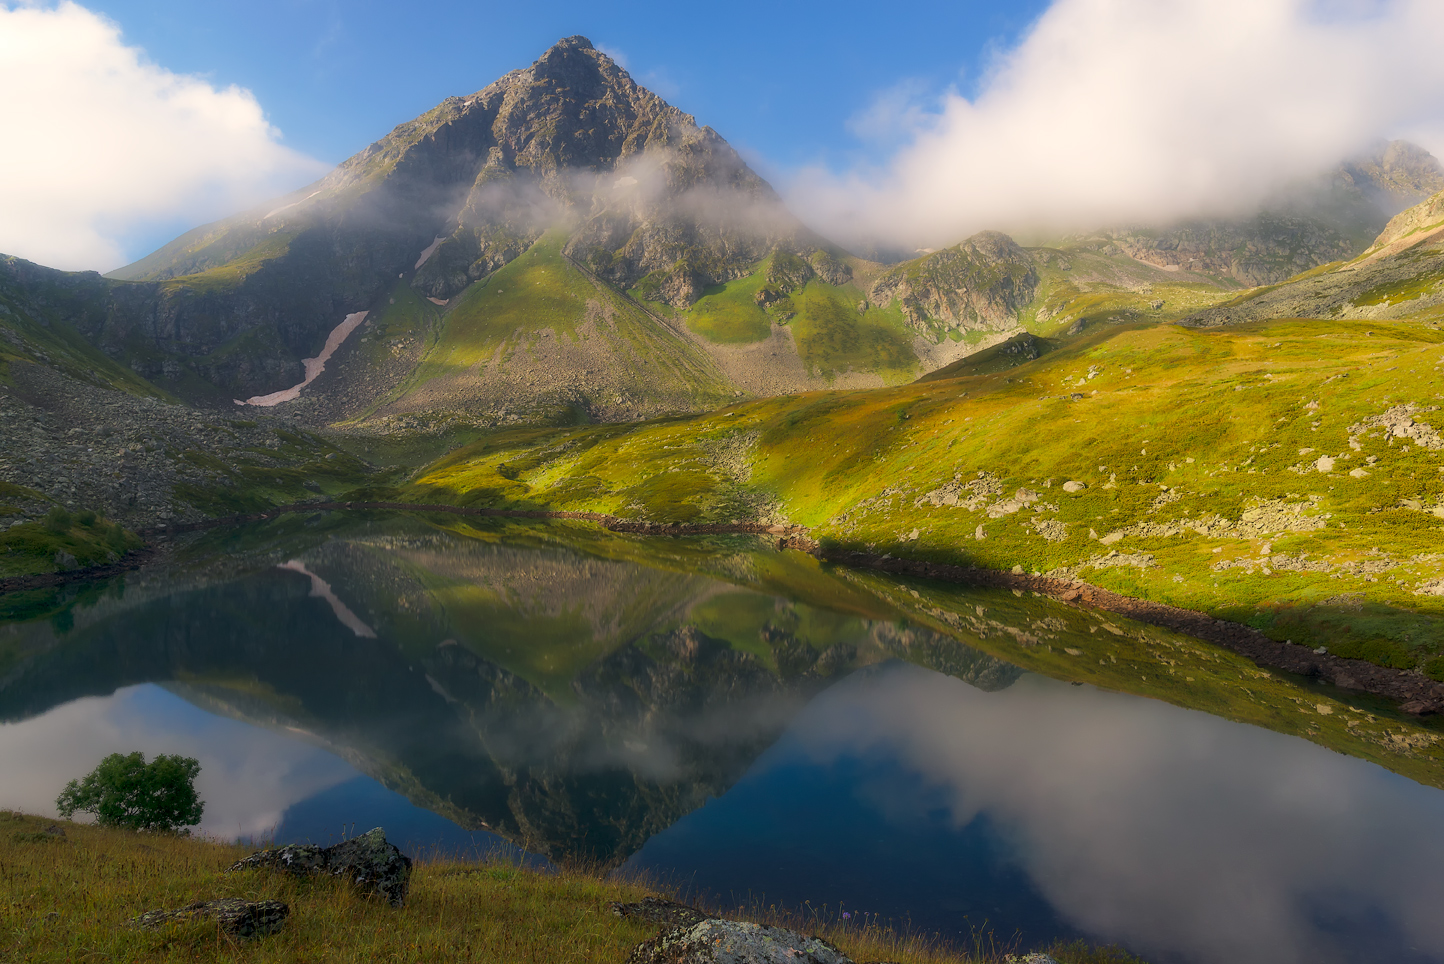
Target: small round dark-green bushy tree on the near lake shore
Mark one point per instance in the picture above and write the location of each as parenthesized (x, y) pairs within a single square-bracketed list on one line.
[(125, 792)]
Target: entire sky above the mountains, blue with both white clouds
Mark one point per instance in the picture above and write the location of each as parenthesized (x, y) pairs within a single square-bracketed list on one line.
[(913, 126)]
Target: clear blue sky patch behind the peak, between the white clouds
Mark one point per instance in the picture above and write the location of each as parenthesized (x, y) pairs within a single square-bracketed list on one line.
[(780, 82)]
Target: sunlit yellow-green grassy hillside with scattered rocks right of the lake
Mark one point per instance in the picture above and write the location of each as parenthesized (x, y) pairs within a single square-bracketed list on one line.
[(1283, 474)]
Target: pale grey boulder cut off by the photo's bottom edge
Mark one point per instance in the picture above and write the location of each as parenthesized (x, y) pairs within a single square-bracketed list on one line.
[(736, 943)]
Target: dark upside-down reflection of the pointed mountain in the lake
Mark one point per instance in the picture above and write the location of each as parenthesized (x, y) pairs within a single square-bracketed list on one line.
[(570, 704)]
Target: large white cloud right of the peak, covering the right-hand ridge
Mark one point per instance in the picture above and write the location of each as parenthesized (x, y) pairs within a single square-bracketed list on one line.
[(1134, 110)]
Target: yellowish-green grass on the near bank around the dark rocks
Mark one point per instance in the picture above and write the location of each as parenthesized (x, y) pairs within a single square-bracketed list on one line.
[(69, 900)]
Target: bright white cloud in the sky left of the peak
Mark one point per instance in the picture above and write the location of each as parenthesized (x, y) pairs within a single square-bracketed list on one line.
[(100, 141)]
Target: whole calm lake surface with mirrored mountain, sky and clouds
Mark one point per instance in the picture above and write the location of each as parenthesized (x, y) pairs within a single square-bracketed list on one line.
[(747, 725)]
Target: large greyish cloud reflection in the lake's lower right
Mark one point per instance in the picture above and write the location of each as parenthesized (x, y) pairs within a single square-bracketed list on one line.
[(1182, 835)]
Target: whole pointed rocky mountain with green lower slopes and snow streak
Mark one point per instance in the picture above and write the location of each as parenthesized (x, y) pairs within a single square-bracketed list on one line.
[(560, 246)]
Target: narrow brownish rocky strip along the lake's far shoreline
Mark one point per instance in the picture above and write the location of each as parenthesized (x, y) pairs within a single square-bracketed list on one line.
[(1417, 695)]
